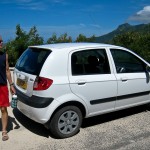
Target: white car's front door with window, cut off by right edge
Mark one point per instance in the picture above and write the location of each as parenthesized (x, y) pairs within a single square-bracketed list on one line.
[(132, 77)]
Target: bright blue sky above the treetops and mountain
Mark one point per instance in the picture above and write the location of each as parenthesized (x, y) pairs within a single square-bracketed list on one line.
[(88, 17)]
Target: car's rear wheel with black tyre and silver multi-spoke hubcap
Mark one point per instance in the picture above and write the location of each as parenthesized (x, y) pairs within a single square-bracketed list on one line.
[(66, 122)]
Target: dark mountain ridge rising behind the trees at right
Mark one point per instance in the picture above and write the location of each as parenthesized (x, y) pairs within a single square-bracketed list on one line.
[(142, 28)]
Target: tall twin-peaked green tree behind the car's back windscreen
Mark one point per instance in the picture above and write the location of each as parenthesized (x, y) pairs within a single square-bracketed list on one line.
[(23, 39)]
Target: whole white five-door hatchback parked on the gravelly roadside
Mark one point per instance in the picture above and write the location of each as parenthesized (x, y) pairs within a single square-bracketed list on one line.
[(60, 84)]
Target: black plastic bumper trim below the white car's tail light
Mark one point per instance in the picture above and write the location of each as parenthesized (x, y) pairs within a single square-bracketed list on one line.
[(34, 101)]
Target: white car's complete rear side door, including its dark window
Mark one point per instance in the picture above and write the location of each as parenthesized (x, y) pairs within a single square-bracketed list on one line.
[(91, 79)]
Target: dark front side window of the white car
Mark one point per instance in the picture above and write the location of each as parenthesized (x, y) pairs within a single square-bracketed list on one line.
[(126, 62)]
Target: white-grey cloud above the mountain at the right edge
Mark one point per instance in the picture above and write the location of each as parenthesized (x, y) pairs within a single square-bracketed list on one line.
[(141, 16)]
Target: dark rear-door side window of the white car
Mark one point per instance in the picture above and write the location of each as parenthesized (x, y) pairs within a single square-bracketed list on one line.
[(89, 62)]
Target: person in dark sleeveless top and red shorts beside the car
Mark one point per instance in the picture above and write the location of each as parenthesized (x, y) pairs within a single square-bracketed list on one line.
[(4, 94)]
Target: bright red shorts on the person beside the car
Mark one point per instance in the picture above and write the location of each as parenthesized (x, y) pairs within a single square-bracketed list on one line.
[(4, 96)]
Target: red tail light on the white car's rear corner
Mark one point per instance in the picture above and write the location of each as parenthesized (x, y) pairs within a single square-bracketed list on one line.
[(42, 83)]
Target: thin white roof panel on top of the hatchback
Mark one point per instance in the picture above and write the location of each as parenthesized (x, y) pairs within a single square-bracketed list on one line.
[(71, 46)]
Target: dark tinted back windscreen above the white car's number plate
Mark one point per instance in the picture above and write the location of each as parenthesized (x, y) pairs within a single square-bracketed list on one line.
[(32, 60)]
